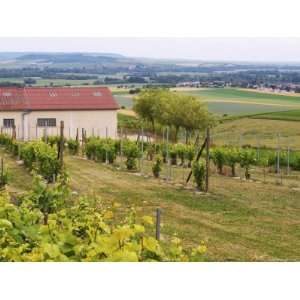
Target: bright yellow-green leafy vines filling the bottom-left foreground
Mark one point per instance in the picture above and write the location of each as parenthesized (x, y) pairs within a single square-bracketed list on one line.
[(84, 232)]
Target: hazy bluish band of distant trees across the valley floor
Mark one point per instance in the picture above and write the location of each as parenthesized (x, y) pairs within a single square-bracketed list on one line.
[(219, 75)]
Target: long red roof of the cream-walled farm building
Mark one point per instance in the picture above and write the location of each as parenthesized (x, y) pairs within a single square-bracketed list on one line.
[(56, 98)]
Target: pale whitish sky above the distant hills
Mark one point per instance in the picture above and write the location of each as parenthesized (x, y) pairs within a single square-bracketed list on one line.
[(207, 49)]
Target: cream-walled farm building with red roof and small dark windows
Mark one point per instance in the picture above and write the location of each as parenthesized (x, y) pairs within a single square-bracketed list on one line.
[(34, 111)]
